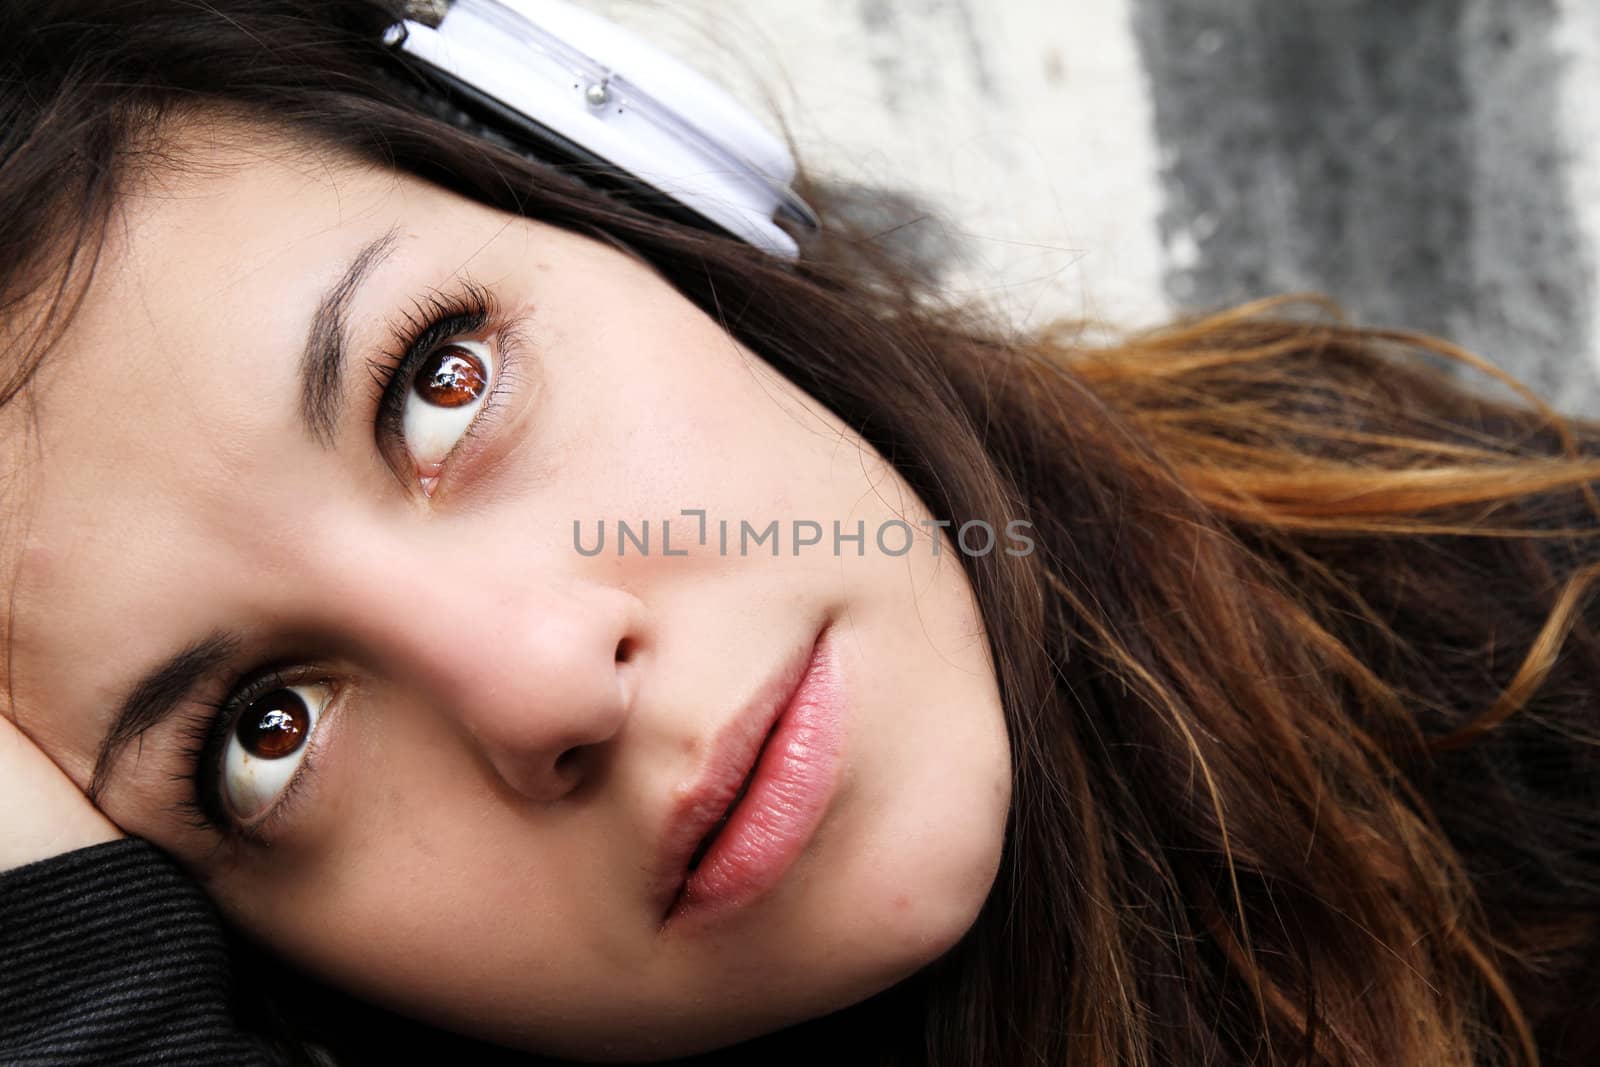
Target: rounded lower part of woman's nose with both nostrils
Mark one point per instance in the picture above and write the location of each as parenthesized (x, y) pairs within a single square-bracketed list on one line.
[(540, 677)]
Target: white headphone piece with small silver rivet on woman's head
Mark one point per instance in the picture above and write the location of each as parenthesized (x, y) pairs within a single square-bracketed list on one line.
[(578, 89)]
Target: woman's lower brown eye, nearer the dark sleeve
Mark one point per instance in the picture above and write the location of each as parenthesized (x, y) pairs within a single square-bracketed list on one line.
[(268, 746)]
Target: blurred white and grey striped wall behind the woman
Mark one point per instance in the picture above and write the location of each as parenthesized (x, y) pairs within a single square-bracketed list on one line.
[(1431, 164)]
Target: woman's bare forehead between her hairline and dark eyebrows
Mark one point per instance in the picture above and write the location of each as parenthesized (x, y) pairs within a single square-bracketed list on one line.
[(174, 382)]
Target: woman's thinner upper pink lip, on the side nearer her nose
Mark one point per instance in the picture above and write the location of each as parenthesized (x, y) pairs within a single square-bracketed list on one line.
[(730, 759)]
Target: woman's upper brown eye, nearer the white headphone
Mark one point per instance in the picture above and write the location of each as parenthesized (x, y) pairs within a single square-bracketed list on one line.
[(442, 399)]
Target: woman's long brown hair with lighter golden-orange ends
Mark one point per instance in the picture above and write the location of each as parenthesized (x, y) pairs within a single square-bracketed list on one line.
[(1300, 681)]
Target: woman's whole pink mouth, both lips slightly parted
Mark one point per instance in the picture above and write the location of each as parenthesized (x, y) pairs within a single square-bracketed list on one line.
[(786, 743)]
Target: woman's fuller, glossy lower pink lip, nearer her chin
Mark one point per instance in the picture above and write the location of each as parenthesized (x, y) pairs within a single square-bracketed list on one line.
[(788, 797)]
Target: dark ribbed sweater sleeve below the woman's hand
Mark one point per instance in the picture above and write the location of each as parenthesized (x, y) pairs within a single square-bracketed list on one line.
[(113, 956)]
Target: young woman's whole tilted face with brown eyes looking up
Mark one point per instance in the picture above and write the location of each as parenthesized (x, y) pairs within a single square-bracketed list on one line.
[(457, 749)]
